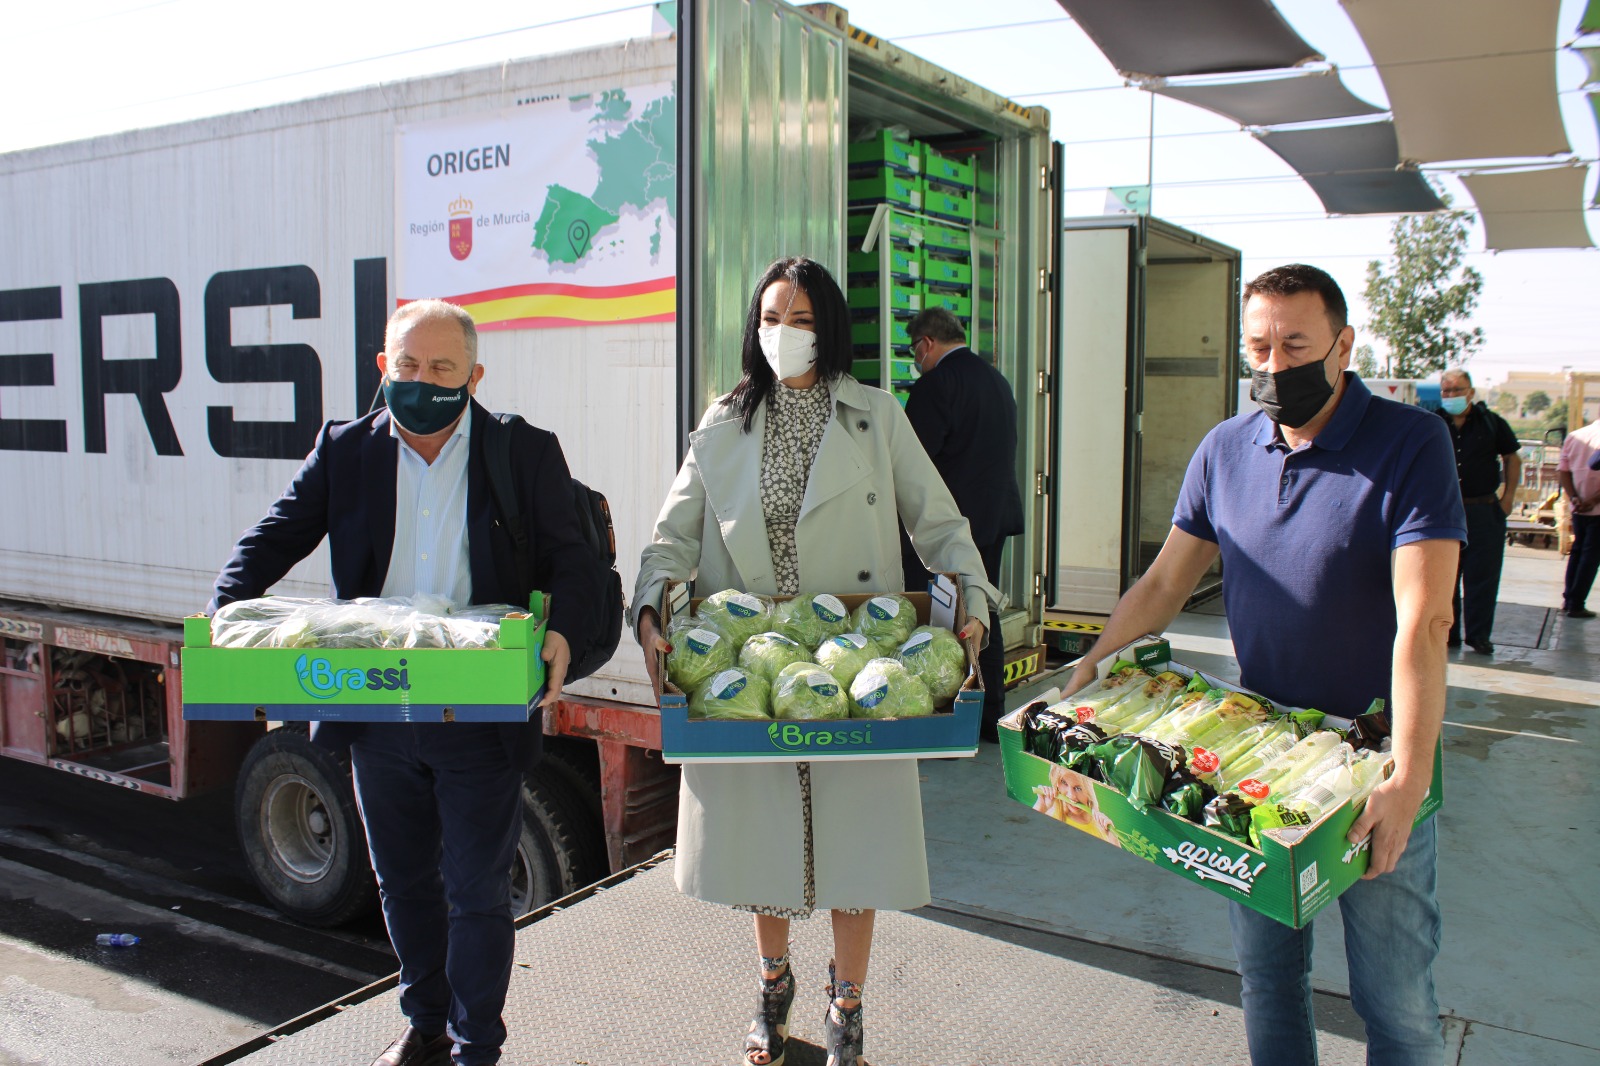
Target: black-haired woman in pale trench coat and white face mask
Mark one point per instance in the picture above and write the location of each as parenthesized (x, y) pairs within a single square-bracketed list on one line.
[(794, 483)]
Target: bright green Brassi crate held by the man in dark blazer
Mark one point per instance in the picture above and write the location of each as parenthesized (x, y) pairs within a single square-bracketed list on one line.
[(367, 684)]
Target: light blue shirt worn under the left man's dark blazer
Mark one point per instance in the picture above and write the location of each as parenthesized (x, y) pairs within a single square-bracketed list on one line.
[(431, 521)]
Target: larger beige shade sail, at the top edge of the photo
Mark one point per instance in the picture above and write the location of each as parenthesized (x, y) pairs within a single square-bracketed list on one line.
[(1466, 79)]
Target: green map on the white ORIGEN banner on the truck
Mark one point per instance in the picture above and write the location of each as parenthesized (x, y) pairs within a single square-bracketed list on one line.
[(638, 167)]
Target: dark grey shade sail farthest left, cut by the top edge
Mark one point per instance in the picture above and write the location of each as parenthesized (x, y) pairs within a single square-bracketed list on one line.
[(1178, 38)]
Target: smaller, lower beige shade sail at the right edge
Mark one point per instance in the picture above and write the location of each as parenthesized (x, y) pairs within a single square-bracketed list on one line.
[(1540, 209)]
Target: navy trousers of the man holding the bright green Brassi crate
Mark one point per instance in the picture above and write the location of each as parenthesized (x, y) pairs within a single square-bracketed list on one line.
[(442, 806)]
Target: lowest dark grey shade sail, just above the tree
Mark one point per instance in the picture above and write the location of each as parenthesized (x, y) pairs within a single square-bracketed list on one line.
[(1353, 169)]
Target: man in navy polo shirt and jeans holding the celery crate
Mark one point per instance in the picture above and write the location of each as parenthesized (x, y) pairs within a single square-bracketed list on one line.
[(1340, 524)]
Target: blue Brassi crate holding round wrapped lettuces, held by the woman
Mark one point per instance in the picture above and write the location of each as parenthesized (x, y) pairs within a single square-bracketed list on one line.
[(948, 732)]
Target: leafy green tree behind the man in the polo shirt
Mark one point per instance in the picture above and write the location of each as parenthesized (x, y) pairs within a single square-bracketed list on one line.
[(1417, 302)]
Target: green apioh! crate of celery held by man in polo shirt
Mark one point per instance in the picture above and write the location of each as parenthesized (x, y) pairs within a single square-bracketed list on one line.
[(1290, 878)]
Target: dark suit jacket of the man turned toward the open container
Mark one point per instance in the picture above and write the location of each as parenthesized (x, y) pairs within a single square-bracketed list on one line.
[(964, 412)]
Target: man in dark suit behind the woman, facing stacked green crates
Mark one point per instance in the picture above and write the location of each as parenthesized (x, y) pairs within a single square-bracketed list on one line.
[(964, 412)]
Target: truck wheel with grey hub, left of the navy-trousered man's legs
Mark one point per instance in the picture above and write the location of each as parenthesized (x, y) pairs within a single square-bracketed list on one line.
[(302, 833)]
